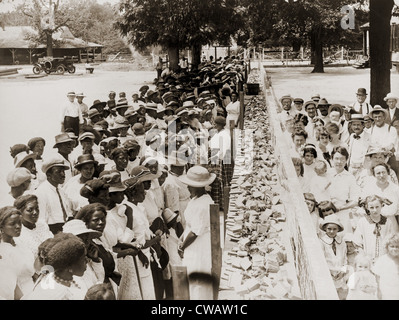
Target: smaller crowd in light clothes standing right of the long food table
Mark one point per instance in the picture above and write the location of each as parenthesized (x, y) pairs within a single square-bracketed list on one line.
[(347, 161)]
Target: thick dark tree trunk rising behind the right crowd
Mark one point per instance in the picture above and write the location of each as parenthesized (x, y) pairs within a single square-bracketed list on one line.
[(380, 55)]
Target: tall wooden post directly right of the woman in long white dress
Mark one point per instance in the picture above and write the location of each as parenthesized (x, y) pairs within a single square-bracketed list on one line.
[(216, 250)]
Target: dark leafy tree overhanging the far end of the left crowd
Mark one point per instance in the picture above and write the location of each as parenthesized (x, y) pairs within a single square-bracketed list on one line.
[(175, 24)]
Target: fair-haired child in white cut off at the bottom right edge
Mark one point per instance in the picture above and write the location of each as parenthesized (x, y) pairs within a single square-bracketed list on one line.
[(386, 268)]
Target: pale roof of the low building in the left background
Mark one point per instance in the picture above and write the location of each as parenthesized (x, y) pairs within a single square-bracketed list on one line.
[(15, 37)]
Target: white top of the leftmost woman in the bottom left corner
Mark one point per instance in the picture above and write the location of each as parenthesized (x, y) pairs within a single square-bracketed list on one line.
[(21, 260)]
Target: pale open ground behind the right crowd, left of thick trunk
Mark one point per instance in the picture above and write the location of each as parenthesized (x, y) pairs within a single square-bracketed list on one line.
[(337, 84)]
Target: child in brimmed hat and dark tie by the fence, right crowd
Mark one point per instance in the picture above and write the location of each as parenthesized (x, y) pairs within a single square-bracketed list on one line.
[(334, 248)]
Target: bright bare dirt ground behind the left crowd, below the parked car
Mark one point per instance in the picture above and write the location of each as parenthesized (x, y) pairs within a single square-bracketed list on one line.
[(30, 107)]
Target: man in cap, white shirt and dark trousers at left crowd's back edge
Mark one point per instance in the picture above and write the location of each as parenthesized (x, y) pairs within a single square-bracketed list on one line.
[(70, 114)]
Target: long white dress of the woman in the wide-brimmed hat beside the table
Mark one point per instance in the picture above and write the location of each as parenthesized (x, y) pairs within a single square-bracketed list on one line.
[(197, 256)]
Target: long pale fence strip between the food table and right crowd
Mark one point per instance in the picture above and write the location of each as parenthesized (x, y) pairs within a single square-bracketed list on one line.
[(312, 271)]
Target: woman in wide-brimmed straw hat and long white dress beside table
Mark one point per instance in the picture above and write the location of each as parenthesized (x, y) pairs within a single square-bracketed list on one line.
[(195, 248)]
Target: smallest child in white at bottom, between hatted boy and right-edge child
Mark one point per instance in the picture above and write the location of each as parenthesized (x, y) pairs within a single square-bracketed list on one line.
[(362, 284)]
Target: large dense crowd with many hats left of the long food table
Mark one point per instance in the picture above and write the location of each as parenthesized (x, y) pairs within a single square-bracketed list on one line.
[(123, 192)]
